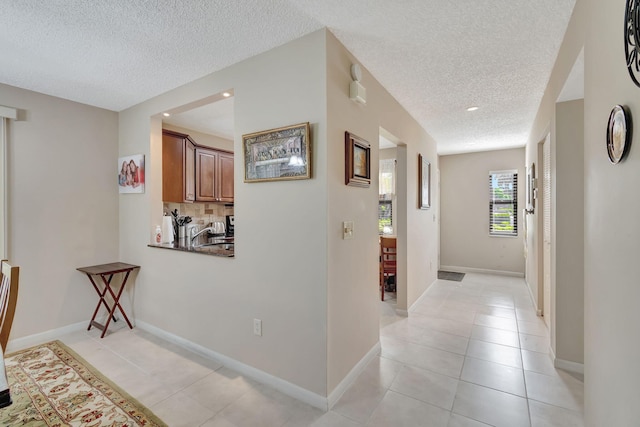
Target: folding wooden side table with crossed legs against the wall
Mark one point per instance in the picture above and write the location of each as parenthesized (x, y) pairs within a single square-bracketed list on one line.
[(106, 272)]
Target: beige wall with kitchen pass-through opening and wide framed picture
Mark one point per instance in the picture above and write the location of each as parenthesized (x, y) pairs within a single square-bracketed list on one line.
[(279, 272)]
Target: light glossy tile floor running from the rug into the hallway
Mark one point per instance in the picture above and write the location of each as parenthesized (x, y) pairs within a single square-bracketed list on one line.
[(471, 353)]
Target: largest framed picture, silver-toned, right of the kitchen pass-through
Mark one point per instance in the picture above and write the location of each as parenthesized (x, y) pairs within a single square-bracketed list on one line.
[(277, 154)]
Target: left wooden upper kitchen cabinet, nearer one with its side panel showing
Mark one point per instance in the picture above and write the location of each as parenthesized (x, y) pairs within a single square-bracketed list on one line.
[(178, 163)]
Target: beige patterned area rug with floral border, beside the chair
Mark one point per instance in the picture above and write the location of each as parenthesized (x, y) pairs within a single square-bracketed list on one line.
[(53, 386)]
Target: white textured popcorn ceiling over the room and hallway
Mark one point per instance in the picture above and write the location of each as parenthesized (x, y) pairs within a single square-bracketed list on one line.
[(435, 57)]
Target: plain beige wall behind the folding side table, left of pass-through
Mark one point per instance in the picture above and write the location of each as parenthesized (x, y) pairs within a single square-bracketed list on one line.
[(63, 205)]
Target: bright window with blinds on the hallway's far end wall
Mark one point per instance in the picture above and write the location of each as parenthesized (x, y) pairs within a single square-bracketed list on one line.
[(503, 203)]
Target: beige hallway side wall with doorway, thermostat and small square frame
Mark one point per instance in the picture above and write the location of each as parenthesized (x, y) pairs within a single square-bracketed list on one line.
[(353, 264)]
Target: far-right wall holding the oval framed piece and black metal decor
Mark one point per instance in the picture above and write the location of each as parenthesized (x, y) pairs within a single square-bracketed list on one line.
[(612, 229)]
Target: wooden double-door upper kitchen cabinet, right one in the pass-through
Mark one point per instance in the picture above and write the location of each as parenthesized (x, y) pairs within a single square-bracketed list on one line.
[(214, 175)]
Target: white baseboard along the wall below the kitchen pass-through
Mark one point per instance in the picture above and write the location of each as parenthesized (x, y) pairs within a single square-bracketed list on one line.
[(279, 384)]
